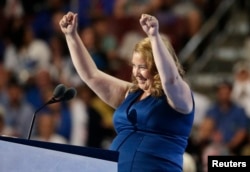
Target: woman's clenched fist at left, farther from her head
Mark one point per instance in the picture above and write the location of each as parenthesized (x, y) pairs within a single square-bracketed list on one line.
[(68, 23)]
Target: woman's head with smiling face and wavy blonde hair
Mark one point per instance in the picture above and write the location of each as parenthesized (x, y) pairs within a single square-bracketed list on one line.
[(145, 74)]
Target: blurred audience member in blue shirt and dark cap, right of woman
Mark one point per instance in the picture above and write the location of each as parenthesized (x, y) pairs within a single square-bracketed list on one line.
[(225, 122)]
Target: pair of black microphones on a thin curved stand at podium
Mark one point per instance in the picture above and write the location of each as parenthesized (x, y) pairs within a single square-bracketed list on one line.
[(60, 94)]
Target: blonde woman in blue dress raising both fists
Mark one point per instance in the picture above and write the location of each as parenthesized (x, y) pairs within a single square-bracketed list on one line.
[(154, 113)]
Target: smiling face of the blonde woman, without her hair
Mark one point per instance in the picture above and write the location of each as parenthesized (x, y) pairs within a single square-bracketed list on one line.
[(141, 72)]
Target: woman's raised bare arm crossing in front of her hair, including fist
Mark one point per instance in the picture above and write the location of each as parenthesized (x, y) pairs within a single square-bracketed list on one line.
[(176, 89)]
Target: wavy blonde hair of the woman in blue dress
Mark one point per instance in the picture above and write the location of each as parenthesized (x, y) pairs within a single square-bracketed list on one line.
[(145, 49)]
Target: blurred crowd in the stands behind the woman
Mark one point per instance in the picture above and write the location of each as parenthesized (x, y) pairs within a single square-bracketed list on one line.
[(211, 38)]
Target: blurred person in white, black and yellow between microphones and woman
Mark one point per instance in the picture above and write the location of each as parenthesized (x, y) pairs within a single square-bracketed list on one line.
[(91, 120)]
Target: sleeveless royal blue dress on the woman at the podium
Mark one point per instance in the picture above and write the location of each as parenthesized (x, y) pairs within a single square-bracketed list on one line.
[(151, 136)]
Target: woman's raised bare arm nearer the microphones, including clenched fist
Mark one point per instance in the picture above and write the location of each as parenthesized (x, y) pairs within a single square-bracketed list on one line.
[(110, 89)]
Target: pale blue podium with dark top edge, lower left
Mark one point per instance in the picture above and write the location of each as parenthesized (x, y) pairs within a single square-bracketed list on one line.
[(35, 156)]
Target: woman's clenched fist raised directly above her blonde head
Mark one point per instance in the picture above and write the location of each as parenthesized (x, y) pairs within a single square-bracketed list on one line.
[(149, 24)]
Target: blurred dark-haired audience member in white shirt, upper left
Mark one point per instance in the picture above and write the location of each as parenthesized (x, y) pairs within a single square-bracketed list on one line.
[(25, 52)]
